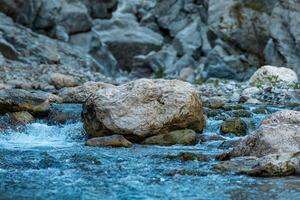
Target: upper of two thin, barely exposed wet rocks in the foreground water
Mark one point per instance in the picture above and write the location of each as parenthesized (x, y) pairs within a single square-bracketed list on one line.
[(188, 156)]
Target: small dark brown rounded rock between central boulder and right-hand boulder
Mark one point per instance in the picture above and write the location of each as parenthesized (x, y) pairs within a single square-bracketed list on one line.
[(234, 125)]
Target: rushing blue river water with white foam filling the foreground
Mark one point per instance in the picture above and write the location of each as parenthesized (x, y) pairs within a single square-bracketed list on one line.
[(44, 161)]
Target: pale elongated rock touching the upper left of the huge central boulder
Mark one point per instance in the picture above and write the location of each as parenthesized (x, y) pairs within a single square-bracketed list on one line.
[(81, 93)]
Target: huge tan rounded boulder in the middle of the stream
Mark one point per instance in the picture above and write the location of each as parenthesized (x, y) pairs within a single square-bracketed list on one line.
[(143, 108)]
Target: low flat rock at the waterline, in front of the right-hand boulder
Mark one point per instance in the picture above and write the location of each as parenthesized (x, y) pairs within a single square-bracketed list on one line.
[(285, 164)]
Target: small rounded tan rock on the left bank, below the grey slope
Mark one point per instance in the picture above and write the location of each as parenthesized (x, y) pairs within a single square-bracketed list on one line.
[(61, 81)]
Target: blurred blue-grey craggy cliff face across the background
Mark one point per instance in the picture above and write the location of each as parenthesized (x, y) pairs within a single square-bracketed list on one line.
[(161, 38)]
